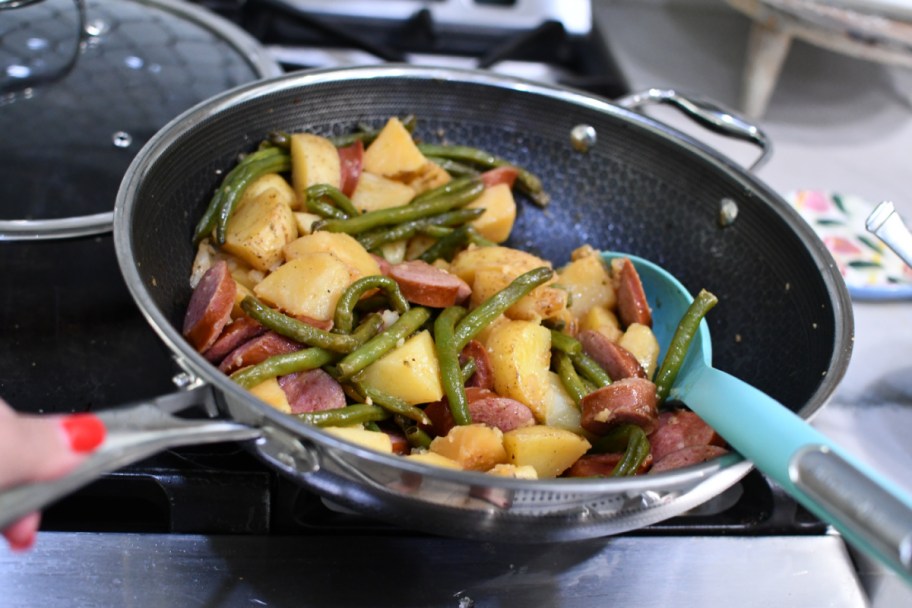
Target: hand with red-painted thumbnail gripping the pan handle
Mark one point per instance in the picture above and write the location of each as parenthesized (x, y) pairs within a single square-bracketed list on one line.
[(40, 448)]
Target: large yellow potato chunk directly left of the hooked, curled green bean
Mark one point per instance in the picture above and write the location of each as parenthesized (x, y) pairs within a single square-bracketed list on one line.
[(309, 285)]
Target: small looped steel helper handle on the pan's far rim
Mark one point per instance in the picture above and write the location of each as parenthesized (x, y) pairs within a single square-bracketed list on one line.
[(709, 114)]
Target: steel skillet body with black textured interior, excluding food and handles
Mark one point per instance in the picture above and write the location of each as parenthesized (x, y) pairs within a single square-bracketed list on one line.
[(784, 322)]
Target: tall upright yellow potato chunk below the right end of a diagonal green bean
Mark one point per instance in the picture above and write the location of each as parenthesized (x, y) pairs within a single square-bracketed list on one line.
[(520, 353)]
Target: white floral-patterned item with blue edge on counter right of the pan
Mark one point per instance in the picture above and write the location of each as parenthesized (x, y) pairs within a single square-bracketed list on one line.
[(869, 267)]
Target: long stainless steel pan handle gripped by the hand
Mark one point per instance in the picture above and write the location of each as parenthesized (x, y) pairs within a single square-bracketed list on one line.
[(133, 433)]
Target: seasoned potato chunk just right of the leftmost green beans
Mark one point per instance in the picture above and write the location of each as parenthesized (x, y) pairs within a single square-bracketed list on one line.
[(259, 229)]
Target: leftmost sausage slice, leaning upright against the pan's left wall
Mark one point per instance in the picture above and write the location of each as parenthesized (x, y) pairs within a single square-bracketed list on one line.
[(209, 310)]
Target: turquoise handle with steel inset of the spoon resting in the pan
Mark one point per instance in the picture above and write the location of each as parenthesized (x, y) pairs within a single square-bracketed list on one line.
[(872, 513)]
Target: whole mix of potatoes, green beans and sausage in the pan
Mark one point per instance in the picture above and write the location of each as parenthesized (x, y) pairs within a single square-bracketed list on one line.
[(397, 316)]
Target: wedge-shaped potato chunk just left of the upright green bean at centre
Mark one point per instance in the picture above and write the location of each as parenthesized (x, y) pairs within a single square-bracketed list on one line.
[(410, 372)]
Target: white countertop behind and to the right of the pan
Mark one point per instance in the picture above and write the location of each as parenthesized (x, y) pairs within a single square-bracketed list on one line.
[(837, 124)]
